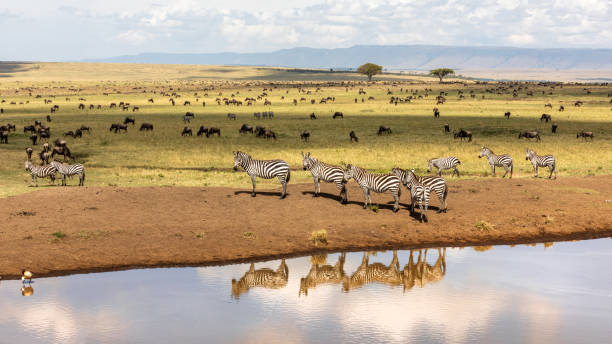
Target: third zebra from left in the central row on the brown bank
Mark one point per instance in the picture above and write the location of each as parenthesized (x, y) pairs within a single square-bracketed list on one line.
[(377, 182)]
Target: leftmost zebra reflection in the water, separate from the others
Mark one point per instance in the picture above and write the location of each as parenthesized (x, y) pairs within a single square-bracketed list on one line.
[(265, 277)]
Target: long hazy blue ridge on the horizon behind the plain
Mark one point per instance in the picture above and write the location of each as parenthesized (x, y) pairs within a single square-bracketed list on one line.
[(406, 57)]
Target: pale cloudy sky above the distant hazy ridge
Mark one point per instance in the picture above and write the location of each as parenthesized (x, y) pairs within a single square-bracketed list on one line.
[(71, 30)]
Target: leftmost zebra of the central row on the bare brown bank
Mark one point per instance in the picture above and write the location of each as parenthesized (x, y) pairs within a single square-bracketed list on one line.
[(266, 169)]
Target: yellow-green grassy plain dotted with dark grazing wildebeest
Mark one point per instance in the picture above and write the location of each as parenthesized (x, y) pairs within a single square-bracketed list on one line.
[(164, 158)]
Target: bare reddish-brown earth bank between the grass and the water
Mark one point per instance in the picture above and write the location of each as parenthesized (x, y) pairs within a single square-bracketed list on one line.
[(117, 228)]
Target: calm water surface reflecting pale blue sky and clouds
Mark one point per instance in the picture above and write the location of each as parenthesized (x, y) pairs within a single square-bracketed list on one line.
[(519, 294)]
